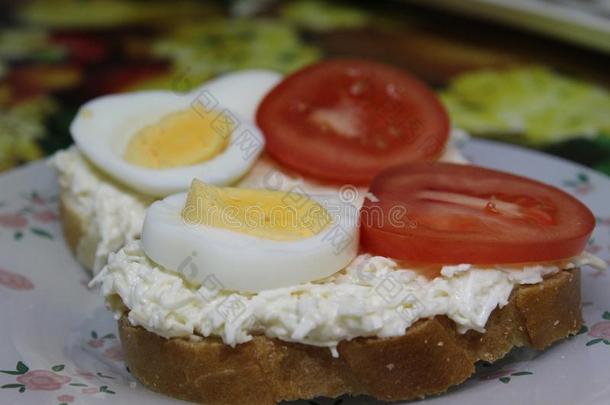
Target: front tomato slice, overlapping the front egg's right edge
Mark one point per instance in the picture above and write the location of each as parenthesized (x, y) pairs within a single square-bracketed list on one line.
[(448, 213)]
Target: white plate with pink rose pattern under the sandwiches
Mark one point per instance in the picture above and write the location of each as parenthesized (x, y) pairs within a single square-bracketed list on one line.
[(58, 344)]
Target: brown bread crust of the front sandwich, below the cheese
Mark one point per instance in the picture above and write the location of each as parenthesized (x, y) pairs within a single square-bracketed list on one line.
[(431, 357)]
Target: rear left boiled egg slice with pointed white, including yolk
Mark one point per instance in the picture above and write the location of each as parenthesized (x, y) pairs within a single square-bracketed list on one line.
[(156, 142)]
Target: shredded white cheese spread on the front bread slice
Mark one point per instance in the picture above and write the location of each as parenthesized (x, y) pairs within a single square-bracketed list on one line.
[(373, 296)]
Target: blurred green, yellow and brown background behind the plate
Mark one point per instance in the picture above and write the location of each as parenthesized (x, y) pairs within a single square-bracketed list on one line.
[(530, 72)]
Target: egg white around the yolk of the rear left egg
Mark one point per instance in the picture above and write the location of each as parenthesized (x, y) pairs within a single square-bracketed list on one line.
[(103, 127)]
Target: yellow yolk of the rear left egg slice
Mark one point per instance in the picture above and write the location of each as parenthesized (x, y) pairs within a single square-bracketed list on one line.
[(181, 138)]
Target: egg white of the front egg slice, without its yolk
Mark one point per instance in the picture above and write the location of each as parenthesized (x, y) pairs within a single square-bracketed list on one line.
[(240, 262)]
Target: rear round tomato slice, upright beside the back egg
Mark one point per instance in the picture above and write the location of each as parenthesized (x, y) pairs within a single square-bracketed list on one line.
[(345, 120)]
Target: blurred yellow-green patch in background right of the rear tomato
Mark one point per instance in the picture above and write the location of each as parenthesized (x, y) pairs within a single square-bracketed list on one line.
[(533, 103)]
